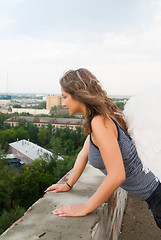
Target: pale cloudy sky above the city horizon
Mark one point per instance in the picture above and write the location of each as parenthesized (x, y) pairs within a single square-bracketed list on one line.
[(119, 41)]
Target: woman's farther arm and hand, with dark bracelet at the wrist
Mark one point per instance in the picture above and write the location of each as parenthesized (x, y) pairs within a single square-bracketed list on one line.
[(77, 170)]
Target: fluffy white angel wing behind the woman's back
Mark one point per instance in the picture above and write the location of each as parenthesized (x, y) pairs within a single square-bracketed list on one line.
[(143, 119)]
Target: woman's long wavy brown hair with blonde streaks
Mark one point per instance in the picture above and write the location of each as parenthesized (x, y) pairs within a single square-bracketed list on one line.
[(83, 86)]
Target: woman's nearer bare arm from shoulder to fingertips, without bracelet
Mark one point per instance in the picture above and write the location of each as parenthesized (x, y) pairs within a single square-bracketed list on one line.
[(105, 138)]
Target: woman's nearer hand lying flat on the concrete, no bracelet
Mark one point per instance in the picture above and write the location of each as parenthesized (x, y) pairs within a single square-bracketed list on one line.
[(71, 211)]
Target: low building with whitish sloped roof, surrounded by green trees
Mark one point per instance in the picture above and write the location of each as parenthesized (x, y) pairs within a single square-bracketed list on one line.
[(27, 151)]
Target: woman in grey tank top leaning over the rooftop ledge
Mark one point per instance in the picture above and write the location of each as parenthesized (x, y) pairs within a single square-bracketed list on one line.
[(107, 147)]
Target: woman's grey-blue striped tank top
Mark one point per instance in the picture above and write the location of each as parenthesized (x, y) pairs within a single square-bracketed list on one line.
[(138, 182)]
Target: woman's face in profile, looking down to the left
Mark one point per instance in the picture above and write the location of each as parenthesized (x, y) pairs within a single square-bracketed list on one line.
[(73, 105)]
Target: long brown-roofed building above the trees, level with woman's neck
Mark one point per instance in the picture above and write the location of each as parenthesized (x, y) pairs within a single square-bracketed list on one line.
[(72, 123)]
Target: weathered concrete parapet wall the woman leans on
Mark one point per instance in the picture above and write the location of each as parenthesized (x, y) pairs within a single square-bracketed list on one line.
[(103, 223)]
